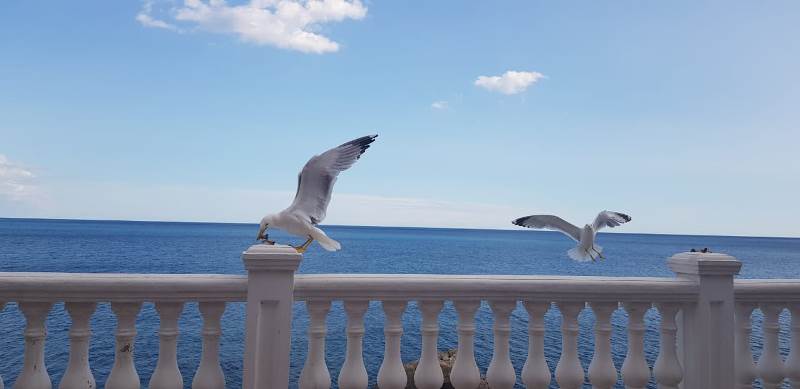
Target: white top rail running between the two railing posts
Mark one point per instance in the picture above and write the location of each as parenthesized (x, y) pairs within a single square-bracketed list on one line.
[(488, 287)]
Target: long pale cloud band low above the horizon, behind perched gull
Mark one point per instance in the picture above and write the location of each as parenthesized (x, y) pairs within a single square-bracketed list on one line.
[(118, 201)]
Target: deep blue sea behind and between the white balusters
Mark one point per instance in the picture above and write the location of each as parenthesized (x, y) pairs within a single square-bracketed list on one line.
[(145, 247)]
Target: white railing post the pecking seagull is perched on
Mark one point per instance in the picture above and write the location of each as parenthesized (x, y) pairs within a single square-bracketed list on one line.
[(270, 289)]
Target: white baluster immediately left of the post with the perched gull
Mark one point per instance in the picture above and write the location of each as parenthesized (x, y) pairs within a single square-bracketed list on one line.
[(209, 374)]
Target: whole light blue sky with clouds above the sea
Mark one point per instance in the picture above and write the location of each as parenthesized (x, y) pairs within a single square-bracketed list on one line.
[(682, 114)]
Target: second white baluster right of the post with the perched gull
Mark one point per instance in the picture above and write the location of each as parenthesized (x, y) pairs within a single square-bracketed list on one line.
[(353, 374)]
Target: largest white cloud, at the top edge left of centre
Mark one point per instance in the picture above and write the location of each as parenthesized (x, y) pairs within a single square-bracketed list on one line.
[(287, 24)]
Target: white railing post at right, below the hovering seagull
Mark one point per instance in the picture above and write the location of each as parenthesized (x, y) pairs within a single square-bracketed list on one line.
[(706, 327)]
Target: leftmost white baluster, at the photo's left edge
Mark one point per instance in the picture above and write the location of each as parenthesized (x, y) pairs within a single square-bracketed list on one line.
[(34, 372)]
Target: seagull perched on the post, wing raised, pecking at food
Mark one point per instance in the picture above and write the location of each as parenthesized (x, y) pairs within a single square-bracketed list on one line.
[(314, 187)]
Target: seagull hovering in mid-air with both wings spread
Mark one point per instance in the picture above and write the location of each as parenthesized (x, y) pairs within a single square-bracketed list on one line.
[(584, 236)]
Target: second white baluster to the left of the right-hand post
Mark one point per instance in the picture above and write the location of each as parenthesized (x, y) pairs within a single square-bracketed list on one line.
[(635, 372)]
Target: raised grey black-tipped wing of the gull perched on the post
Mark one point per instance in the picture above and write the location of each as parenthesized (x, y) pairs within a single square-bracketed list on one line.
[(315, 181)]
